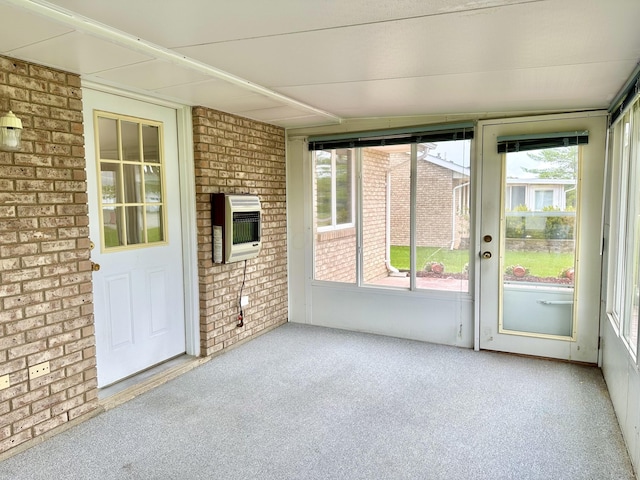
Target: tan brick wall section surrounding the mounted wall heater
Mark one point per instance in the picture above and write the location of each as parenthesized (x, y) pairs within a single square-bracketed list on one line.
[(237, 155)]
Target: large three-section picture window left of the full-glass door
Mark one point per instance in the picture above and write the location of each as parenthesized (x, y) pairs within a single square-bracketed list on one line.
[(393, 214)]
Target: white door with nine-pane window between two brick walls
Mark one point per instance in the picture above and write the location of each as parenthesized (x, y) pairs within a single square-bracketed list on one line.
[(134, 211)]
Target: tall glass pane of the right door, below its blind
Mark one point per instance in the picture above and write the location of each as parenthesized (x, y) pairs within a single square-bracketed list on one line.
[(538, 259)]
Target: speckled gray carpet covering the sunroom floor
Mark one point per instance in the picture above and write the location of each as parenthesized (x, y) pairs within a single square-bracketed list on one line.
[(304, 402)]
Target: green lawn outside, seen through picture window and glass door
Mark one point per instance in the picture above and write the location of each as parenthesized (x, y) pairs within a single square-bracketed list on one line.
[(540, 264)]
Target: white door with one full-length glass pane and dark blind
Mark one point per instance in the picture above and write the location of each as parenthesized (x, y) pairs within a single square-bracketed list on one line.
[(540, 235)]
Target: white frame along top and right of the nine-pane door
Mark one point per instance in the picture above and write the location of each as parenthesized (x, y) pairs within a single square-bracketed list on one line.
[(187, 205)]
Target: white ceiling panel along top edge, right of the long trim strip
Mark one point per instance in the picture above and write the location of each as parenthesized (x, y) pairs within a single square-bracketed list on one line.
[(195, 22)]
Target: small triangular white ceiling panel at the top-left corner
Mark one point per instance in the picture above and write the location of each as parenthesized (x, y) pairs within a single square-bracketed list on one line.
[(19, 28)]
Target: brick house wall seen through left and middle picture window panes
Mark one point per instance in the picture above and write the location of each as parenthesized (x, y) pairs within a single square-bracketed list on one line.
[(335, 250)]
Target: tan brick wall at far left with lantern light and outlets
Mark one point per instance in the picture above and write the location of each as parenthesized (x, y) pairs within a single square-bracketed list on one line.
[(46, 309)]
